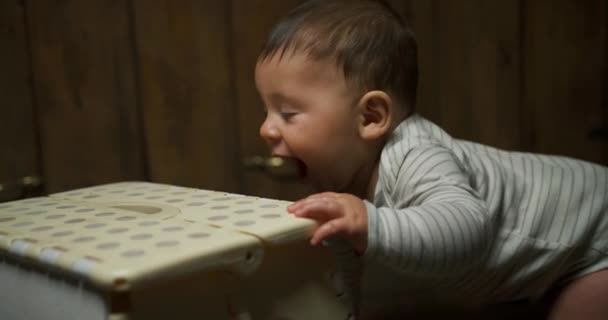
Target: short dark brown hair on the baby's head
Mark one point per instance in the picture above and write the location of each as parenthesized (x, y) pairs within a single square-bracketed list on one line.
[(368, 40)]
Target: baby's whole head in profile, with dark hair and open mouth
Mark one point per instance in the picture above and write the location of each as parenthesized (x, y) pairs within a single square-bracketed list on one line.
[(336, 77)]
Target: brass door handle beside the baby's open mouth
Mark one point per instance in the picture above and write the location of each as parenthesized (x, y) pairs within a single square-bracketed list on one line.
[(276, 167)]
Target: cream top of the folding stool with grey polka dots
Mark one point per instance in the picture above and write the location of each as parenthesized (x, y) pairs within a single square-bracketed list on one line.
[(117, 234)]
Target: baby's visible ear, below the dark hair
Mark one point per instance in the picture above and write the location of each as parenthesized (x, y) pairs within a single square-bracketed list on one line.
[(376, 113)]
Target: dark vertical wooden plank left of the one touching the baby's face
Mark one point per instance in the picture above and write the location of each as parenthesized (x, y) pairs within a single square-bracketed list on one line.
[(187, 93)]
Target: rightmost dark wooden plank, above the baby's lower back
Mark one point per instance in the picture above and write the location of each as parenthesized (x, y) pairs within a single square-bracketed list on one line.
[(565, 63)]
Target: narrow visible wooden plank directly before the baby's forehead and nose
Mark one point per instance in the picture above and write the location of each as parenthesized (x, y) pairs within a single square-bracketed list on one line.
[(253, 21)]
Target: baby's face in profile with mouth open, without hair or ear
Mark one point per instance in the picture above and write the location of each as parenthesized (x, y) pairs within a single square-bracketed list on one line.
[(312, 116)]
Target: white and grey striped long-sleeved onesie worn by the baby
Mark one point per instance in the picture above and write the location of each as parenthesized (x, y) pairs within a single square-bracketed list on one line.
[(461, 221)]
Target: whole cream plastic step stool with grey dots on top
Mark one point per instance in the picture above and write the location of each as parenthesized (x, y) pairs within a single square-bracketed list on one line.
[(137, 250)]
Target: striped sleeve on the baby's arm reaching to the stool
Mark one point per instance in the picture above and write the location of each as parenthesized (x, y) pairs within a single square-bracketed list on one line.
[(434, 223)]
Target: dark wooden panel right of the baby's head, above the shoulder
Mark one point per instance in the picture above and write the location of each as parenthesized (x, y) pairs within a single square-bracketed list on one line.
[(470, 68)]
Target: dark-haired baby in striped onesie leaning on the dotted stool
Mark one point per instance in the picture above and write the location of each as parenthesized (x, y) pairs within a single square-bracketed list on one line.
[(426, 215)]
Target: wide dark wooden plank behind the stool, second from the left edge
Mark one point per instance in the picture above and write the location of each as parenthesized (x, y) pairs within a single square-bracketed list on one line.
[(85, 92)]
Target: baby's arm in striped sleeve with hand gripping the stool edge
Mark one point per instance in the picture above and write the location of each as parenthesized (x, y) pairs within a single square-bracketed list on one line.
[(435, 222)]
